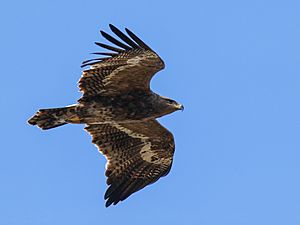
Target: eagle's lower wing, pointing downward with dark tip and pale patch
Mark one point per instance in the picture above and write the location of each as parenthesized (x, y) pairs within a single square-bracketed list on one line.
[(137, 154)]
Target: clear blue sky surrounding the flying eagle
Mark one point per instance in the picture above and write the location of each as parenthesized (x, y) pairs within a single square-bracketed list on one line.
[(233, 64)]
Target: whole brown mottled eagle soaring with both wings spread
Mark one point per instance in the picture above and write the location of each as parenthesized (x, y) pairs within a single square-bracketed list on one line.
[(120, 112)]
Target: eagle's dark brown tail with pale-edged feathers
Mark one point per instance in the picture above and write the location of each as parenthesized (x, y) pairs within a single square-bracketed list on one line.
[(51, 118)]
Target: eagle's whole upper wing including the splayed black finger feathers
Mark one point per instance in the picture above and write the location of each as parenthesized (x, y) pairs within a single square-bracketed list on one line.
[(128, 67)]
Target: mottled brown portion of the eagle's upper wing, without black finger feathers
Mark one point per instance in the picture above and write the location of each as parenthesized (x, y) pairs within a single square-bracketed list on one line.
[(116, 75)]
